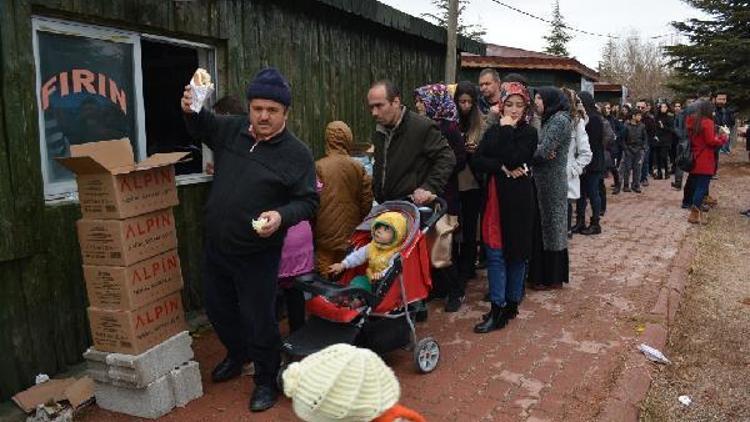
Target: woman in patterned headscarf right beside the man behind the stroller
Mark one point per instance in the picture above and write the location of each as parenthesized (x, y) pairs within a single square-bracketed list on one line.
[(435, 102)]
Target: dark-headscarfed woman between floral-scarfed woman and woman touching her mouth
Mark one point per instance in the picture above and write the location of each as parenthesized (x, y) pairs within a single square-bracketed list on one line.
[(472, 126)]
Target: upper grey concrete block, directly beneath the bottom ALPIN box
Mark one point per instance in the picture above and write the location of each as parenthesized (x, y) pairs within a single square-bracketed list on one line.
[(138, 371)]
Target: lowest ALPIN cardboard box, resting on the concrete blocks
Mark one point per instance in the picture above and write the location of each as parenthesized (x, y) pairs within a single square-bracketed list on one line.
[(134, 332)]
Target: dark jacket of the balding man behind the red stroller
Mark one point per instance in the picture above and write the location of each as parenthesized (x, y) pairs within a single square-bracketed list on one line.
[(414, 154)]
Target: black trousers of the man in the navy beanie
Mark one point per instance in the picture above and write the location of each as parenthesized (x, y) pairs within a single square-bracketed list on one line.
[(240, 299)]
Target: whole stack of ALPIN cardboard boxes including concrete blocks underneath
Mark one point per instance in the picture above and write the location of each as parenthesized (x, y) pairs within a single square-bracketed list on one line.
[(141, 357)]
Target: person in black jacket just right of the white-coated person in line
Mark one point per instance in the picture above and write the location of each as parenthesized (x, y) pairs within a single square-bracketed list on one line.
[(591, 178)]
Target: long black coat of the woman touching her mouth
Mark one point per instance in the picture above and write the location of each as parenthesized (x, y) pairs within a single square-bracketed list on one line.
[(512, 148)]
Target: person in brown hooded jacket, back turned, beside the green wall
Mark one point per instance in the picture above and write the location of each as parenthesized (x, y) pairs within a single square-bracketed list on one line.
[(345, 196)]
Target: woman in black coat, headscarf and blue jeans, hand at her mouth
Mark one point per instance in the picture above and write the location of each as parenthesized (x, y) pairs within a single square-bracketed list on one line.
[(504, 155)]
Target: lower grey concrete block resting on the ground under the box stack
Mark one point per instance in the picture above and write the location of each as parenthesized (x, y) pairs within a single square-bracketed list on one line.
[(177, 388)]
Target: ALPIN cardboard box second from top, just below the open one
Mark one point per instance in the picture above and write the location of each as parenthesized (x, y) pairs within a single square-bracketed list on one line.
[(124, 242)]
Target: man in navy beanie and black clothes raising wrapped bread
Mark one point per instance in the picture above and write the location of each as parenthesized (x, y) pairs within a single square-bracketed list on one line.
[(264, 183)]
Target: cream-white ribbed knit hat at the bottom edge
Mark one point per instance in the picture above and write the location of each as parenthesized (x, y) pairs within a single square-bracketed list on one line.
[(341, 383)]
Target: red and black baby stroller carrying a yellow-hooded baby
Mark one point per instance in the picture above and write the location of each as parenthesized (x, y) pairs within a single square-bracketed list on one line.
[(385, 321)]
